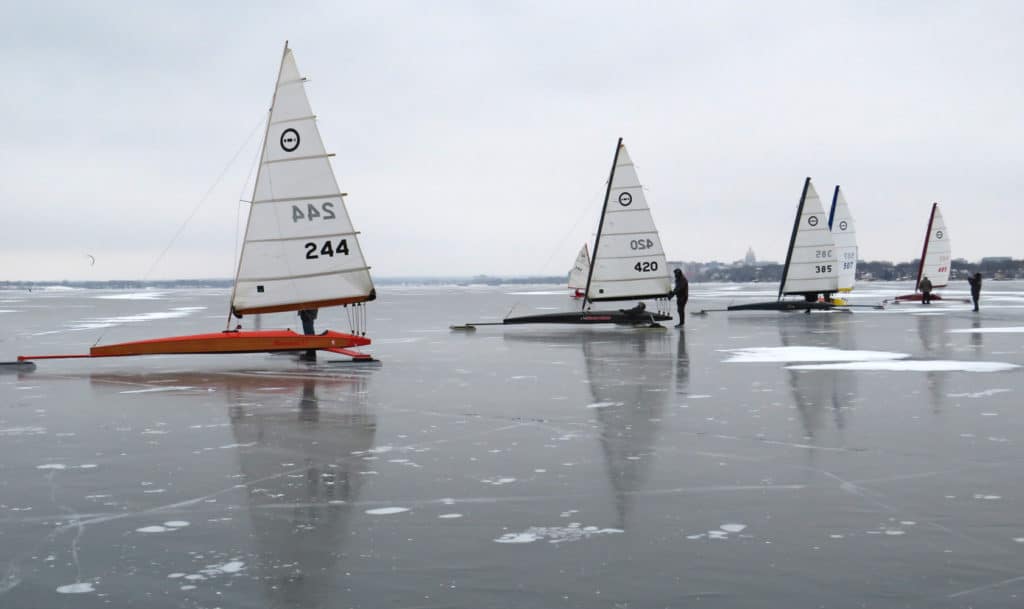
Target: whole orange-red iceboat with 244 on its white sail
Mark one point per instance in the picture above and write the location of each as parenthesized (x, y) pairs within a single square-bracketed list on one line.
[(301, 251)]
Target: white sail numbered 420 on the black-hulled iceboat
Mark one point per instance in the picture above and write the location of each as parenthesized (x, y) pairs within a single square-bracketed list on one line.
[(629, 263)]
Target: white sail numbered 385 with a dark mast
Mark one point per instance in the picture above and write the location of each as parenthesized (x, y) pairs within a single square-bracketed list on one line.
[(812, 266)]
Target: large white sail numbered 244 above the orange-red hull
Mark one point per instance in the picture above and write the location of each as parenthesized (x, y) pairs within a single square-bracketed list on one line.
[(301, 250)]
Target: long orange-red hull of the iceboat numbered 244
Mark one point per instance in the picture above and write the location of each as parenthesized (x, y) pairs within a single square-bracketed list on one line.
[(224, 342)]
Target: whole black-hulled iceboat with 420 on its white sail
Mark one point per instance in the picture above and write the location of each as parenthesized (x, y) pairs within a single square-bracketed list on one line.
[(628, 265)]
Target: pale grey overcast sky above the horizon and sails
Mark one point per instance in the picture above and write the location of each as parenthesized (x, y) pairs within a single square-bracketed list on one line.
[(477, 137)]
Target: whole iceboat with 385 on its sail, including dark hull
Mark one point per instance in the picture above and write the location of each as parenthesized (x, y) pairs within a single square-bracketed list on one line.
[(812, 268)]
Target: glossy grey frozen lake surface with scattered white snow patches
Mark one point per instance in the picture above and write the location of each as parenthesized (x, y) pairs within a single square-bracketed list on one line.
[(755, 460)]
